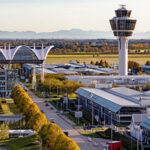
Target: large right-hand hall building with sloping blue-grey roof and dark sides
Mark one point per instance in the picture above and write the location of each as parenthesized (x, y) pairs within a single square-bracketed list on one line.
[(117, 104)]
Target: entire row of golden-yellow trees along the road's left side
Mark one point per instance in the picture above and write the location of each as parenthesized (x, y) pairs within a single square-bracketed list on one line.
[(51, 134)]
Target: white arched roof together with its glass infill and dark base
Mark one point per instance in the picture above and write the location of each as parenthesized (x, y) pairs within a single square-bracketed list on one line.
[(23, 54)]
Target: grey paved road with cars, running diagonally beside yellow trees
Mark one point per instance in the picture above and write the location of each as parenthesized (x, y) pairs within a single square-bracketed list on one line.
[(66, 124)]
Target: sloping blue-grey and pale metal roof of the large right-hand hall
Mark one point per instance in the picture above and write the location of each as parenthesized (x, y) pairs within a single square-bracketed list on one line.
[(106, 99)]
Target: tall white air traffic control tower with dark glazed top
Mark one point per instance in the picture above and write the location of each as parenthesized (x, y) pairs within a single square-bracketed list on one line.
[(123, 26)]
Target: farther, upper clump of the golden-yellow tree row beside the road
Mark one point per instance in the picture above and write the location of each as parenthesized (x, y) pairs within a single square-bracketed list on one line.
[(34, 118)]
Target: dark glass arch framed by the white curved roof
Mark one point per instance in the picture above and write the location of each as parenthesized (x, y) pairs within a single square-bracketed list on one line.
[(25, 53)]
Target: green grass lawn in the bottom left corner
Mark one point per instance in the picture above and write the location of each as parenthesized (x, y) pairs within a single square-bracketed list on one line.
[(27, 143)]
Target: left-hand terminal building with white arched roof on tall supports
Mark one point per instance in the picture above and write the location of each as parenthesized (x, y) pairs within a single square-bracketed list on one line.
[(18, 55)]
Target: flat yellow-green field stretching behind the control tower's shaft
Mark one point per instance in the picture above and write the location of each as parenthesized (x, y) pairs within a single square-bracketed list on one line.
[(140, 58)]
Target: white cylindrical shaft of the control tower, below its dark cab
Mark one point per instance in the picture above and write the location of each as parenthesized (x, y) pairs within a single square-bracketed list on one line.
[(123, 56)]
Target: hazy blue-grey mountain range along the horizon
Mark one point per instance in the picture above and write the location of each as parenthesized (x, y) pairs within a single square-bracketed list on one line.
[(66, 34)]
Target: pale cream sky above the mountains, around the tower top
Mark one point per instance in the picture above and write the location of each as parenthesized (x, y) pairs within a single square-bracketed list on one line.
[(54, 15)]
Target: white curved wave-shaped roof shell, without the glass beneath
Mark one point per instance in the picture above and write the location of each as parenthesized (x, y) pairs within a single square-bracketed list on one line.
[(41, 54)]
